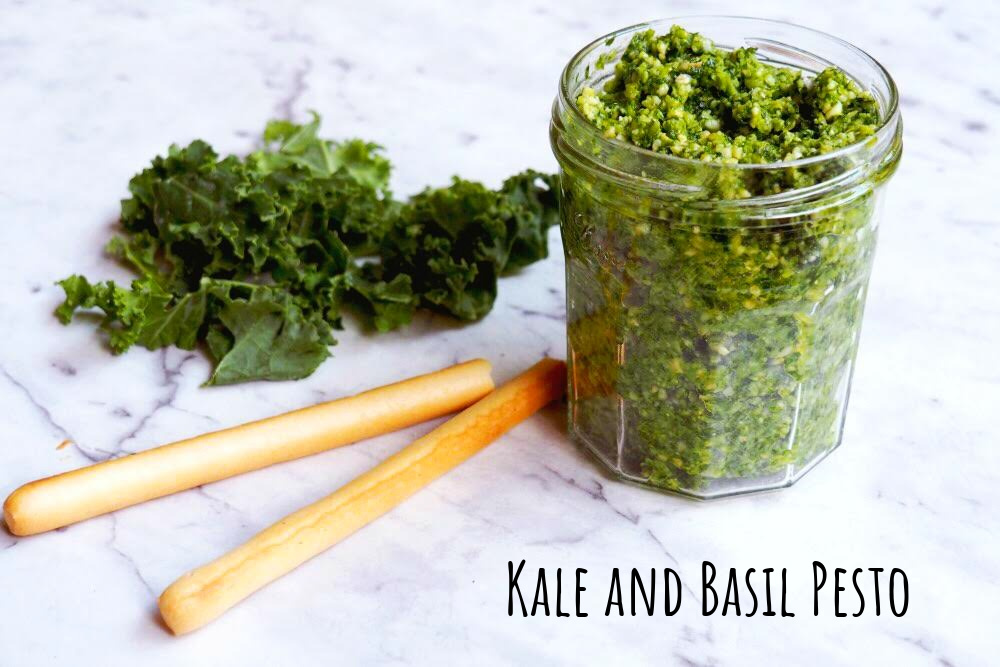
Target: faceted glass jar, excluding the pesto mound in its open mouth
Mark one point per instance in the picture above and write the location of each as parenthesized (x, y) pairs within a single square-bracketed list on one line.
[(711, 340)]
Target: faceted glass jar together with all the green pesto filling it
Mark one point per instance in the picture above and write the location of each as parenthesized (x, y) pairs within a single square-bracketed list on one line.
[(720, 180)]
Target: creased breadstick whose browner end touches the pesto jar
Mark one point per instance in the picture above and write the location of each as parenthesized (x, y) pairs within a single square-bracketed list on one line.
[(204, 594)]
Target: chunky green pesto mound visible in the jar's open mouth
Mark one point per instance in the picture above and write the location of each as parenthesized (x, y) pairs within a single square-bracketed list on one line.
[(679, 95)]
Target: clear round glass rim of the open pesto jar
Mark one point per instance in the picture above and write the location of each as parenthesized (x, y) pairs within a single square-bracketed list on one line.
[(888, 121)]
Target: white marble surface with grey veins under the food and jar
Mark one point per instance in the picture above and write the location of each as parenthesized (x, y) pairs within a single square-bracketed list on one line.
[(89, 91)]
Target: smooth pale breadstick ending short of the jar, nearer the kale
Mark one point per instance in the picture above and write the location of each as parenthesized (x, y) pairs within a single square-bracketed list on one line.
[(87, 492)]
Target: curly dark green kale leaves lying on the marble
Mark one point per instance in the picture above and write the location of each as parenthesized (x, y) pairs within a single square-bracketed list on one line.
[(257, 257)]
